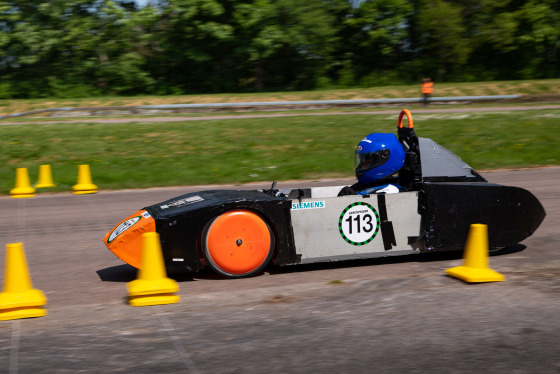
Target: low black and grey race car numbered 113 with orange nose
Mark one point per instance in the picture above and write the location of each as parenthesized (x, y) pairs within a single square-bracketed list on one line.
[(238, 233)]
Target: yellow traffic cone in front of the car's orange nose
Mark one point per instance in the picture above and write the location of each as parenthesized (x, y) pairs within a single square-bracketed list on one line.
[(152, 286)]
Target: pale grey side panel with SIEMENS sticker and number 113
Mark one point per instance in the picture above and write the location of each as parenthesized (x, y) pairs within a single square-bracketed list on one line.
[(336, 228)]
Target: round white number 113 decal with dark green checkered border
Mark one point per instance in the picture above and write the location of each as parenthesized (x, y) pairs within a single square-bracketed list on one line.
[(358, 223)]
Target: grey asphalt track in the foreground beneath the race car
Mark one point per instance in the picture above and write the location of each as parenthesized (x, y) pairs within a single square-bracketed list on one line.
[(398, 315)]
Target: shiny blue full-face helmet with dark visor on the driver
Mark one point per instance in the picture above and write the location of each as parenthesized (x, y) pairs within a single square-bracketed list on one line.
[(378, 156)]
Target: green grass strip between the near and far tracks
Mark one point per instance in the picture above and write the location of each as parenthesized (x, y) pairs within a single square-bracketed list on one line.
[(266, 149)]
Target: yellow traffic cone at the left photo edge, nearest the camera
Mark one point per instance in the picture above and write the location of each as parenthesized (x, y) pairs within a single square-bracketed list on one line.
[(19, 299)]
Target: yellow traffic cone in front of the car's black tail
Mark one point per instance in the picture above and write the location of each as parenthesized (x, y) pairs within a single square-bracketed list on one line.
[(475, 266)]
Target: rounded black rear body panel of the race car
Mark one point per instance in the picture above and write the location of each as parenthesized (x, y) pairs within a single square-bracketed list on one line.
[(448, 209)]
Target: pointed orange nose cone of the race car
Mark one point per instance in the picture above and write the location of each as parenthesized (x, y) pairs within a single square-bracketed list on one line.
[(125, 239)]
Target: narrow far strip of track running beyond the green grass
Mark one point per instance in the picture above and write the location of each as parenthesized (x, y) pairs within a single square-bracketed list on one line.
[(155, 119)]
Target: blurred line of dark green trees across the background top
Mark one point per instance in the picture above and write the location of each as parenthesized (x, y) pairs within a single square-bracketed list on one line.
[(80, 48)]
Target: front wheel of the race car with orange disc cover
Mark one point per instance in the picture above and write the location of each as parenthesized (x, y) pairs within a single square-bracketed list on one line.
[(237, 244)]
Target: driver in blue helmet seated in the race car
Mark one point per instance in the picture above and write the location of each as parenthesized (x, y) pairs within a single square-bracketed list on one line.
[(377, 159)]
